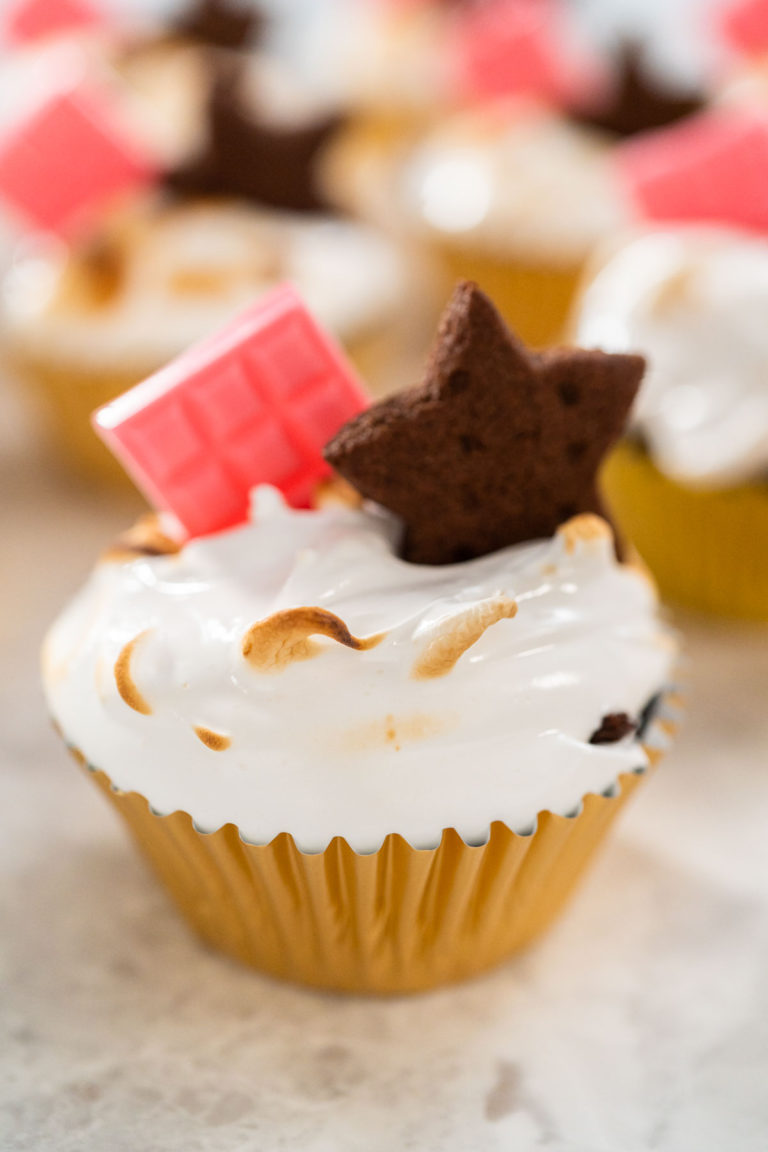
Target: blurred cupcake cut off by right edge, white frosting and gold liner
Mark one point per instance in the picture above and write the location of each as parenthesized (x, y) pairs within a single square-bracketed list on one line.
[(690, 483)]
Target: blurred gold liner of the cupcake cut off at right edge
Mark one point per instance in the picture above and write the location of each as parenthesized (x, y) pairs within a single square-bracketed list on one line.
[(708, 550)]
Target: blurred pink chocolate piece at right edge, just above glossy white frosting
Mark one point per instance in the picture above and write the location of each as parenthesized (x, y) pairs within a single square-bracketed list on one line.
[(712, 168)]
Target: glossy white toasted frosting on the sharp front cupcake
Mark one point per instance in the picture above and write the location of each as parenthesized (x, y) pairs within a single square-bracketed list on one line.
[(295, 676)]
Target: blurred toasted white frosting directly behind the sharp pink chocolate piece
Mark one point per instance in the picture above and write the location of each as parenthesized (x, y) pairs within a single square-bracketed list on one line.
[(163, 277)]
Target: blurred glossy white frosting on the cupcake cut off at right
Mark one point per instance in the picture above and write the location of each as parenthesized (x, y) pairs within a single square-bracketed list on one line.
[(694, 301)]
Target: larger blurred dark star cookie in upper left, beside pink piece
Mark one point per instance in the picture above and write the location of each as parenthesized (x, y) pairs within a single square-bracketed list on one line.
[(256, 162)]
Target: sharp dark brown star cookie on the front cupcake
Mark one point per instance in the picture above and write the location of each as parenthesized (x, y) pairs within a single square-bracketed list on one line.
[(498, 446)]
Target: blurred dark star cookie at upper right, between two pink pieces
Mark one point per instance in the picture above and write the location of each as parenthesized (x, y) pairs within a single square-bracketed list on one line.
[(638, 101)]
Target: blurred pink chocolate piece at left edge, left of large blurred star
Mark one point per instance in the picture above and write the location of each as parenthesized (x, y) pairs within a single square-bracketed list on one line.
[(67, 160)]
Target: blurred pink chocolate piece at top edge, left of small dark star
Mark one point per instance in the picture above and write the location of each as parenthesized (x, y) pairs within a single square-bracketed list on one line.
[(512, 48)]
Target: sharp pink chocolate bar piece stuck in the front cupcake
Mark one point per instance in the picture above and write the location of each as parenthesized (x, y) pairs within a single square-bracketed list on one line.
[(254, 405)]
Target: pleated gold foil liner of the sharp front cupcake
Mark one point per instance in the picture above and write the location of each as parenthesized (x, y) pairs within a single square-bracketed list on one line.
[(393, 921)]
